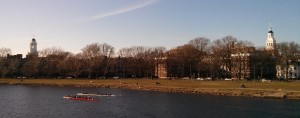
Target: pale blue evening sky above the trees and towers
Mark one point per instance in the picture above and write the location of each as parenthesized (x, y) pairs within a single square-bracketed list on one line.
[(73, 24)]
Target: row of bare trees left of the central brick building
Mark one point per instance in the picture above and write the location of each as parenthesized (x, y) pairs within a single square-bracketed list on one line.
[(95, 60)]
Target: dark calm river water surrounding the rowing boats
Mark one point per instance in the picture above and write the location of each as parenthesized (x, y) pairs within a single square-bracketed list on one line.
[(19, 101)]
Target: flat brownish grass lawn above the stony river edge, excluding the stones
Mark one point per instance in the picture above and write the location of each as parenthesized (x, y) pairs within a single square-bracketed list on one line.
[(189, 84)]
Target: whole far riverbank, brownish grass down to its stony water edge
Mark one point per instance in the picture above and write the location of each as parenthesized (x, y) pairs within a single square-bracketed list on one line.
[(281, 90)]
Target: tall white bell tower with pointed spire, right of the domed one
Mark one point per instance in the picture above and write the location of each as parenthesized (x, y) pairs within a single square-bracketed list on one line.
[(270, 42)]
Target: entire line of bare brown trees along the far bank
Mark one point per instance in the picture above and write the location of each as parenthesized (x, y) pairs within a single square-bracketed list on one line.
[(199, 57)]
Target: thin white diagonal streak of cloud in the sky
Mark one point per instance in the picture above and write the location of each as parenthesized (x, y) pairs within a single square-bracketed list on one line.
[(123, 10)]
